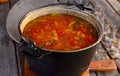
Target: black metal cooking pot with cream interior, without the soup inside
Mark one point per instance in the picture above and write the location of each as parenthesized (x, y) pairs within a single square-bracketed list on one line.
[(47, 62)]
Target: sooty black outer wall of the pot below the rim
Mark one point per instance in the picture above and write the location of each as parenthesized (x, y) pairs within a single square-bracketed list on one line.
[(63, 64)]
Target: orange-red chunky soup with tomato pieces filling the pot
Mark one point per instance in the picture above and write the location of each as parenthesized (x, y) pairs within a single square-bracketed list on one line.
[(61, 32)]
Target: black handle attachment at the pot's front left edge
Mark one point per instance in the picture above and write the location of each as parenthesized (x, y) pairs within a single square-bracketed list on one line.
[(29, 49)]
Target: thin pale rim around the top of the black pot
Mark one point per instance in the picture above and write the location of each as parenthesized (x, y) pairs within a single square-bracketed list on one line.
[(100, 35)]
